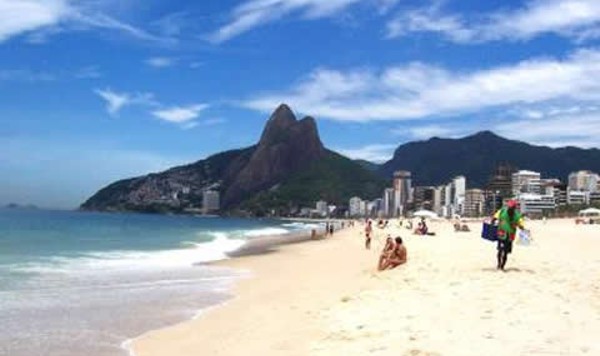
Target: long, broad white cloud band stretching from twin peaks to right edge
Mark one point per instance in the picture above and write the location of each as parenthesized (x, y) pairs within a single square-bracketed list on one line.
[(417, 90)]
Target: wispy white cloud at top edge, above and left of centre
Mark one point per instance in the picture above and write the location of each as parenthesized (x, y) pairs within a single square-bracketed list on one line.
[(254, 13)]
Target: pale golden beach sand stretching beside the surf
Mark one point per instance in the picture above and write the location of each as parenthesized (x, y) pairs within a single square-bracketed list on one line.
[(326, 298)]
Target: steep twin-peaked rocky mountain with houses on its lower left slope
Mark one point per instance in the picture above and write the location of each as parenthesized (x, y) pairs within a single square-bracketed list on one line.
[(288, 169)]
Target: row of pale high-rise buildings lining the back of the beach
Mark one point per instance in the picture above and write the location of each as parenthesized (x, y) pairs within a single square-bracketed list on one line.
[(537, 195)]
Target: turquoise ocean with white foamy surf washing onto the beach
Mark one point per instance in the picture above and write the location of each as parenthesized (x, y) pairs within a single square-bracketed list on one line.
[(75, 283)]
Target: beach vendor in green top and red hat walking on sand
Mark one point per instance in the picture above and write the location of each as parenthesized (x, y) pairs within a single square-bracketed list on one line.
[(508, 218)]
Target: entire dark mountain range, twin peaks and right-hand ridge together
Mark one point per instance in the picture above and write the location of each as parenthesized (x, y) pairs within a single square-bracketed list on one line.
[(290, 168)]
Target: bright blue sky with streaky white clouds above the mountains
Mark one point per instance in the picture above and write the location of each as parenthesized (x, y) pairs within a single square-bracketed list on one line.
[(92, 91)]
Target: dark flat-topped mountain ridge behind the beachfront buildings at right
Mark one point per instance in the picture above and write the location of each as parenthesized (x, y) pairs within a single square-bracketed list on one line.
[(438, 160)]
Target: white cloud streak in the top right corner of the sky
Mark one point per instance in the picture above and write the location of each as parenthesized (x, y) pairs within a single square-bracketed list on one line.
[(576, 19)]
